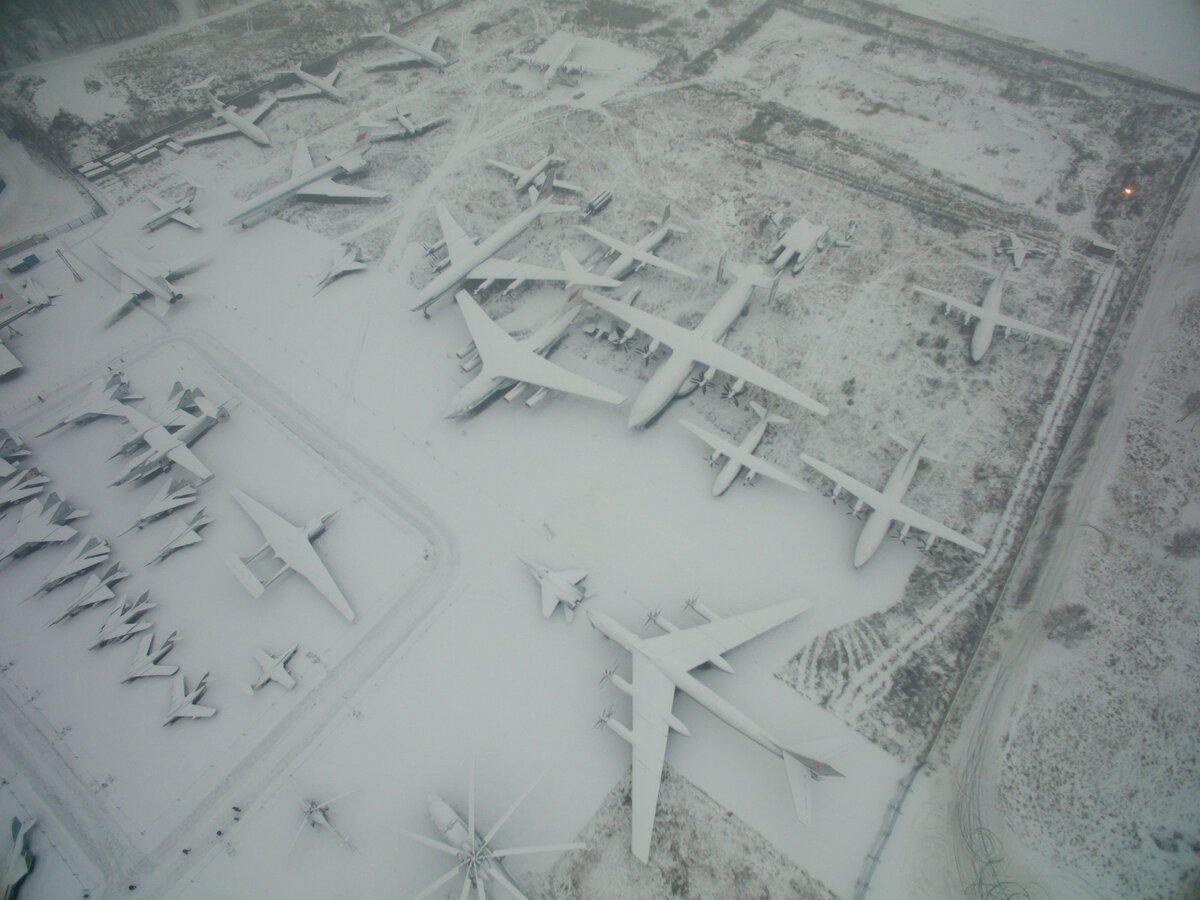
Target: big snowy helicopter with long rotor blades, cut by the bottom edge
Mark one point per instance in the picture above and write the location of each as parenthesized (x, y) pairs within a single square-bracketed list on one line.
[(476, 860)]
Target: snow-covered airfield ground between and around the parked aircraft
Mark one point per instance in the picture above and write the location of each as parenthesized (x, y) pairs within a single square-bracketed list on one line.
[(934, 142)]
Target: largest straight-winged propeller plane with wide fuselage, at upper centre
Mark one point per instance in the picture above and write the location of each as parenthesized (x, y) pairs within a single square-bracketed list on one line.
[(700, 346)]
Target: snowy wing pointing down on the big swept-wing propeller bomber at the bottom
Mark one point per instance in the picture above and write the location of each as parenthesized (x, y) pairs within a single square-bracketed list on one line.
[(653, 699)]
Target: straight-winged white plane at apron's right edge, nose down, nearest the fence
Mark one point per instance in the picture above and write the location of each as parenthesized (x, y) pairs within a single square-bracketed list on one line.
[(887, 506)]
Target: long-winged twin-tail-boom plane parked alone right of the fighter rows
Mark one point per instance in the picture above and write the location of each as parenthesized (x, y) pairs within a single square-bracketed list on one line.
[(292, 547)]
